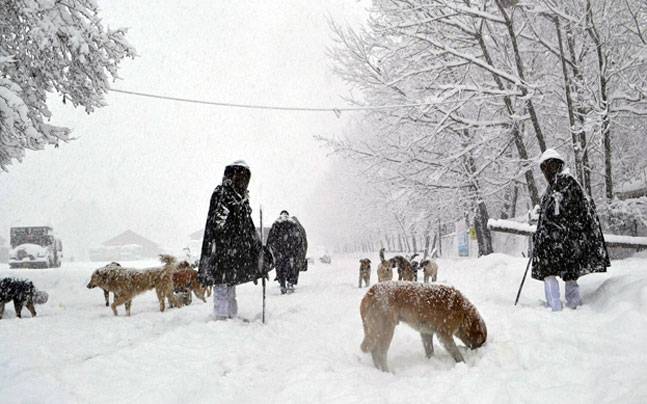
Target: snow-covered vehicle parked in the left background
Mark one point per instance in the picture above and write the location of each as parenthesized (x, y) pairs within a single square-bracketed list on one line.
[(34, 247)]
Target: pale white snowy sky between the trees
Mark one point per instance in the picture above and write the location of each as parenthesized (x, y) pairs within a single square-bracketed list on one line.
[(150, 165)]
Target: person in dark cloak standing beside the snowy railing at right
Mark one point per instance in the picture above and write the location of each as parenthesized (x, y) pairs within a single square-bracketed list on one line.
[(568, 242)]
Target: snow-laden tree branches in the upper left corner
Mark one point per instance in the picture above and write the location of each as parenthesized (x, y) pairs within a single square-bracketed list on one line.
[(51, 47)]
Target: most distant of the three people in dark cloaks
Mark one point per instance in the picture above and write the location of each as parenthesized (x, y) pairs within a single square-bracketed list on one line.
[(288, 243)]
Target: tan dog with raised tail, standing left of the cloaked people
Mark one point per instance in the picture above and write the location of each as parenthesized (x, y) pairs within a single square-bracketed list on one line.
[(126, 283)]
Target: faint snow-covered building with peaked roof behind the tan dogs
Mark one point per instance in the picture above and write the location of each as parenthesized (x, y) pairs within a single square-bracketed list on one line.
[(127, 246)]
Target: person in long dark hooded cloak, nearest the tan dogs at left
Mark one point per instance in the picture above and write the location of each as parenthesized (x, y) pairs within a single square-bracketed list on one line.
[(231, 248)]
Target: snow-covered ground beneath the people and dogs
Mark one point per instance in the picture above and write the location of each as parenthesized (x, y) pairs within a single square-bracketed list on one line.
[(77, 351)]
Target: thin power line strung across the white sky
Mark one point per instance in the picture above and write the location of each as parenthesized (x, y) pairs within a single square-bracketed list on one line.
[(336, 110)]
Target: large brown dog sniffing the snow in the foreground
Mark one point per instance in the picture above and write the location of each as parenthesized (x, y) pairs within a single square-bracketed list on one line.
[(429, 309)]
